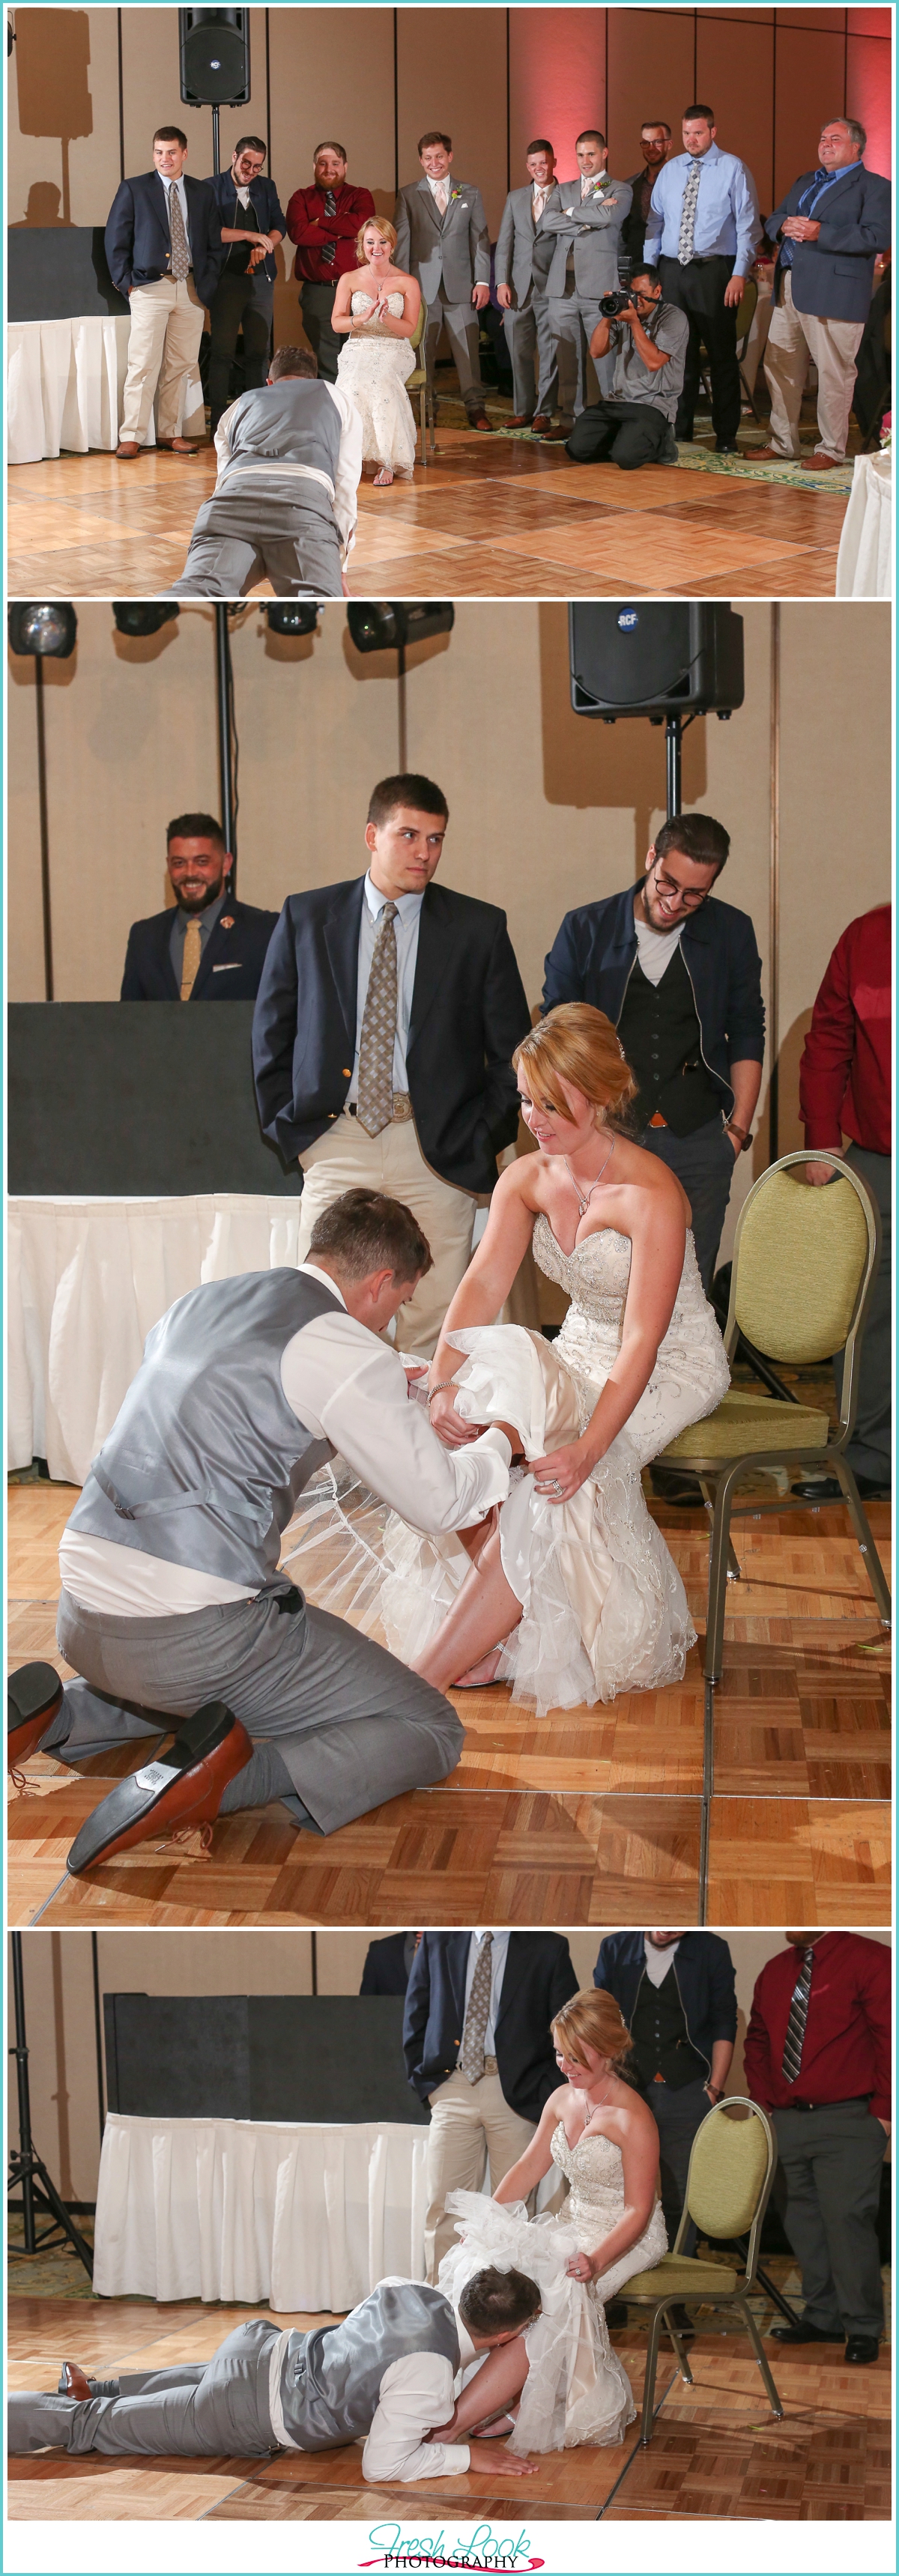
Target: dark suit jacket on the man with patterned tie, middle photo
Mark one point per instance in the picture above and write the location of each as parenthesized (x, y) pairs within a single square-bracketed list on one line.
[(468, 1016)]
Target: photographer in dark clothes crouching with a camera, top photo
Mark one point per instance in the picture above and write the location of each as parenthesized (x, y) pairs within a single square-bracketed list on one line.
[(650, 346)]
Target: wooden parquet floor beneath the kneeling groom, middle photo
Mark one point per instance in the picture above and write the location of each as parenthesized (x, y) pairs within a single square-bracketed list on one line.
[(581, 1817)]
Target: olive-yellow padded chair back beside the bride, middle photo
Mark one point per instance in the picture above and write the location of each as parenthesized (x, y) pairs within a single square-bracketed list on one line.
[(805, 1266)]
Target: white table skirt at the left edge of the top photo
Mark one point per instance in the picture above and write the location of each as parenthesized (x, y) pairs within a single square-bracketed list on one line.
[(66, 388)]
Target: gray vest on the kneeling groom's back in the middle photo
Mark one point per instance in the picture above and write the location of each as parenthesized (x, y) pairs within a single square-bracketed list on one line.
[(207, 1459)]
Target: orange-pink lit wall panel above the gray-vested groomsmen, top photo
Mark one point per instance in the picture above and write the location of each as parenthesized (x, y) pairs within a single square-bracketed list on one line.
[(558, 79)]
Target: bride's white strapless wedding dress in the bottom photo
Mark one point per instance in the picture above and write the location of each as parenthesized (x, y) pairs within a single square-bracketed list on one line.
[(576, 2389)]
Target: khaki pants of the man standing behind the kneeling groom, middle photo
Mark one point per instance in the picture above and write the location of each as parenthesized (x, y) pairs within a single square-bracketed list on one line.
[(346, 1158)]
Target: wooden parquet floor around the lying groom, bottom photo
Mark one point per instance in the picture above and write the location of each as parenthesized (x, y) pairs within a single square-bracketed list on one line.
[(717, 2451)]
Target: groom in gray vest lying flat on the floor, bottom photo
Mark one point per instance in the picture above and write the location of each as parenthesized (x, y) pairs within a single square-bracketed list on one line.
[(385, 2374)]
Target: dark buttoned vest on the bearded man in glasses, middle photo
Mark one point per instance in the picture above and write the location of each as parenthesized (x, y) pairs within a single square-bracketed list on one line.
[(663, 1045)]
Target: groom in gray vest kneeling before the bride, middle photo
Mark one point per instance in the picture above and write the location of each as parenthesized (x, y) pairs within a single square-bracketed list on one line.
[(174, 1606)]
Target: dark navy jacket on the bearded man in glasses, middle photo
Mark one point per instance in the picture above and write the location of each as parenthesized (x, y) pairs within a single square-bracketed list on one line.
[(594, 954)]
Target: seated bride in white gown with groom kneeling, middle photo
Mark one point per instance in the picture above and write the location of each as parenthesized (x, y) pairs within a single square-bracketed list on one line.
[(571, 1593)]
